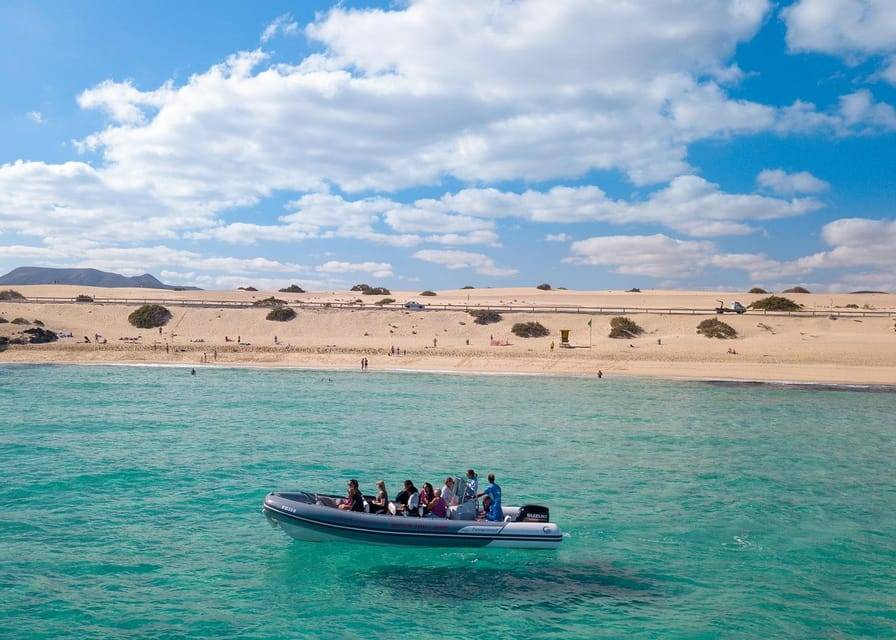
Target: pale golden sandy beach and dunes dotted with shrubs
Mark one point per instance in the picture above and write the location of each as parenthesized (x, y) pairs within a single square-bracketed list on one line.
[(829, 347)]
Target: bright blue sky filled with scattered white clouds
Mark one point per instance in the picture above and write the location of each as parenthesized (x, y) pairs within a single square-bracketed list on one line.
[(434, 144)]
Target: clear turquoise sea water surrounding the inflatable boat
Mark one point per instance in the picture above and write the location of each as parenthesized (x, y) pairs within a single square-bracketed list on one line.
[(130, 506)]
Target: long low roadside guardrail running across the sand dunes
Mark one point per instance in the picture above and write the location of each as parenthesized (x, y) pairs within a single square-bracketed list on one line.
[(575, 309)]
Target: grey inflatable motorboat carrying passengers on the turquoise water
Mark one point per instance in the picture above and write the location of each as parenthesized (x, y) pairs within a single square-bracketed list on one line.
[(316, 517)]
